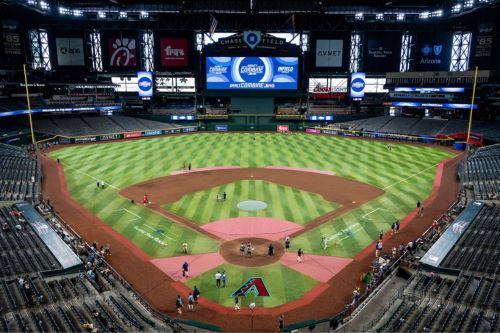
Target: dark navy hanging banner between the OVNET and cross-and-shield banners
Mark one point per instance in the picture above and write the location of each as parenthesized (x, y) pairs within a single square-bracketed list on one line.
[(382, 54)]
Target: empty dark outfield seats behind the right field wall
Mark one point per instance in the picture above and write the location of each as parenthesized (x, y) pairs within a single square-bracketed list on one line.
[(423, 127)]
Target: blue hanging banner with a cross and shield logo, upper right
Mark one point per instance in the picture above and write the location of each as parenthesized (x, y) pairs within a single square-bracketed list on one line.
[(433, 52)]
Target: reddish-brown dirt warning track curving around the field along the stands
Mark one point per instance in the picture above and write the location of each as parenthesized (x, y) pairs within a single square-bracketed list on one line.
[(160, 291)]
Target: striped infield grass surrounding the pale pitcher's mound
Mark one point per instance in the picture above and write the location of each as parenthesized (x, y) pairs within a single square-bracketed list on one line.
[(284, 203)]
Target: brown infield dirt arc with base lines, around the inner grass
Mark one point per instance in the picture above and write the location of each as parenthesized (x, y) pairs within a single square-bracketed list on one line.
[(349, 193)]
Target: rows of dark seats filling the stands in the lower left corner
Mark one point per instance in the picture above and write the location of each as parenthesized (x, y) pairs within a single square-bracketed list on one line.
[(32, 300)]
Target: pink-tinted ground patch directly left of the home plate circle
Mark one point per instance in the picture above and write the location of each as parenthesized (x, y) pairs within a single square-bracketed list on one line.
[(198, 264)]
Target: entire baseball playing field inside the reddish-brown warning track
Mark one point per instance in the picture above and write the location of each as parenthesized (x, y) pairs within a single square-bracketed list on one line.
[(184, 206)]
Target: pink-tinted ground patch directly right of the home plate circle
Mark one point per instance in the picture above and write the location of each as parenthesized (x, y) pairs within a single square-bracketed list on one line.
[(321, 268)]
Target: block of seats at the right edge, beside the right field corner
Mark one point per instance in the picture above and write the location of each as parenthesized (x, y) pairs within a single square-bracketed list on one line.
[(481, 174)]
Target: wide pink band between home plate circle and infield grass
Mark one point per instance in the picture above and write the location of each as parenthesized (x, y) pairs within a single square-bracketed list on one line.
[(258, 227)]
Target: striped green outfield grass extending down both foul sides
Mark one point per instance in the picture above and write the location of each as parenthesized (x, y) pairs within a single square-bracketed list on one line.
[(406, 174)]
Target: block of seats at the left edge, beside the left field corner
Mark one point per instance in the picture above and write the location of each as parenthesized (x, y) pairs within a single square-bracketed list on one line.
[(19, 177)]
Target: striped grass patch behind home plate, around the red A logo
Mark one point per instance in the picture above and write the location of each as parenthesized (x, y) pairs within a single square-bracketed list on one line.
[(284, 284)]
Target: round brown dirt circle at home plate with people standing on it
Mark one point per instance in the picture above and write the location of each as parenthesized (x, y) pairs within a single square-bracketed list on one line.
[(230, 251)]
